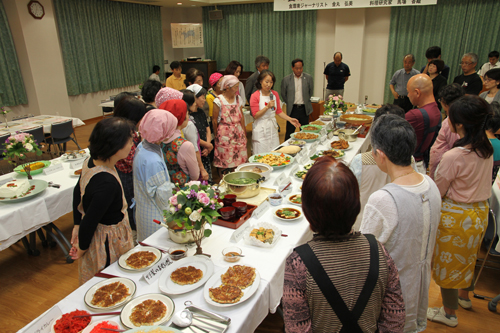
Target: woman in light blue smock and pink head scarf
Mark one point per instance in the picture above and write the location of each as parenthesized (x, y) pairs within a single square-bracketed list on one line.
[(152, 186)]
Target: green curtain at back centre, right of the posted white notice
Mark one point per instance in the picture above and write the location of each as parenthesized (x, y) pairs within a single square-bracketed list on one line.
[(255, 29)]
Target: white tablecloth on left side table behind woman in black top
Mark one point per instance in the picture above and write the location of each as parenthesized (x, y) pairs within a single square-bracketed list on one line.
[(20, 219)]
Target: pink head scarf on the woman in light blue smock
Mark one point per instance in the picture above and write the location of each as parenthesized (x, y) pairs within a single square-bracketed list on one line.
[(157, 125)]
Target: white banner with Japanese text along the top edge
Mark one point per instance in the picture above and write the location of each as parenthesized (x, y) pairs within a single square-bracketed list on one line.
[(289, 5)]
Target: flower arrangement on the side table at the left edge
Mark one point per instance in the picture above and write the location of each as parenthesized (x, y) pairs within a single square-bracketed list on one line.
[(17, 146)]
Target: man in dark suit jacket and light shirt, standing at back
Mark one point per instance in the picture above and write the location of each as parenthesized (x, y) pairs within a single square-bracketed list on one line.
[(296, 90)]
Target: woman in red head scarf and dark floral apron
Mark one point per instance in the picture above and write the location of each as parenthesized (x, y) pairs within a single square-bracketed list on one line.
[(180, 155)]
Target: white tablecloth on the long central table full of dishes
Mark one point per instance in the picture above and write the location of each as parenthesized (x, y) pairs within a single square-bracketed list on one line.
[(270, 263)]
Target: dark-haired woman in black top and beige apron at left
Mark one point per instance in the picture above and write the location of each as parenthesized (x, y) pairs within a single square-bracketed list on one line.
[(102, 232)]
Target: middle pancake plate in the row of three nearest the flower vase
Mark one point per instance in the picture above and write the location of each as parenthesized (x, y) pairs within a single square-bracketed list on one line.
[(186, 275)]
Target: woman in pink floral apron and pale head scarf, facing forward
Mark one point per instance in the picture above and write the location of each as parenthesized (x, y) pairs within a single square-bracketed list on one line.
[(229, 126)]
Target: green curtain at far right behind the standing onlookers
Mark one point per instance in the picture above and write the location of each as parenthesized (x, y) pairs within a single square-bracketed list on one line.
[(457, 26)]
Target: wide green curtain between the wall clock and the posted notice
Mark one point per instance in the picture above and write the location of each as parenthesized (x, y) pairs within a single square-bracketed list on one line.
[(107, 44)]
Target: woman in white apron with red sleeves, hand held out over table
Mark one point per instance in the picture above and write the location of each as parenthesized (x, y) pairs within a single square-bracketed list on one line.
[(264, 106)]
